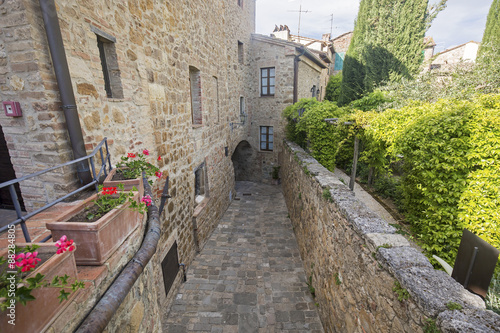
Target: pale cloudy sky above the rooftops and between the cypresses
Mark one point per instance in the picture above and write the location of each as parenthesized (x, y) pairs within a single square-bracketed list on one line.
[(460, 22)]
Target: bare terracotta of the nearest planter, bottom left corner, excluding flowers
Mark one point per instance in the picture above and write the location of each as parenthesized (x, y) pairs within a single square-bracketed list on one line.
[(37, 315)]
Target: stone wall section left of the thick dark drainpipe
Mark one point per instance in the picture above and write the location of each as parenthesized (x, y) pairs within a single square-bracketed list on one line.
[(38, 139)]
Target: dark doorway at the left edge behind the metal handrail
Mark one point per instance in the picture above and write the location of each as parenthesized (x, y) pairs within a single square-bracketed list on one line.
[(7, 173)]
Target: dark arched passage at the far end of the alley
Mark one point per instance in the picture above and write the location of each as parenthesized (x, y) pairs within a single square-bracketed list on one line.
[(244, 161)]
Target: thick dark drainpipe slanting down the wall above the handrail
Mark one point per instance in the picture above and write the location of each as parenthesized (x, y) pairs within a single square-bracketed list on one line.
[(63, 77)]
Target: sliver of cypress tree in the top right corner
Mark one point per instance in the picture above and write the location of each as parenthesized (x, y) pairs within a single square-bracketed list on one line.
[(490, 45)]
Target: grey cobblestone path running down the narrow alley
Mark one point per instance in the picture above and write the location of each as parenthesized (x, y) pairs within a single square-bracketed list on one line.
[(249, 276)]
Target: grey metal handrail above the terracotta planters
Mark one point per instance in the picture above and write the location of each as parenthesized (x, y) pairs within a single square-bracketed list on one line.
[(22, 219)]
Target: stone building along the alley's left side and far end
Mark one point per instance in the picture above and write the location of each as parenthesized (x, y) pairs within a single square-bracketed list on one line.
[(189, 81)]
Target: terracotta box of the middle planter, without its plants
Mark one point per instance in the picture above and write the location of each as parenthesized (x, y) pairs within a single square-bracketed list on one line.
[(97, 240)]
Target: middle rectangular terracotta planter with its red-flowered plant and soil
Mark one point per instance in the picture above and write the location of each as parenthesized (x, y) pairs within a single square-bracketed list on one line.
[(101, 223)]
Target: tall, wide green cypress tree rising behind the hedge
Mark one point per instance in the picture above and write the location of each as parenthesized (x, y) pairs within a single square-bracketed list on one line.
[(387, 45)]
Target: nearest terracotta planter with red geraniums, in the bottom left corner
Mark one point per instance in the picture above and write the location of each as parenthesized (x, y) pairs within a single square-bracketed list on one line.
[(36, 284)]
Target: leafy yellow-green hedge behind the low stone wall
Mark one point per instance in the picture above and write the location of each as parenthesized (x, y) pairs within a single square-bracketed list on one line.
[(450, 156)]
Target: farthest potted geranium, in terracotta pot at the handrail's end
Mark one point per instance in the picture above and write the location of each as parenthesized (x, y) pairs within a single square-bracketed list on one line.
[(129, 172)]
